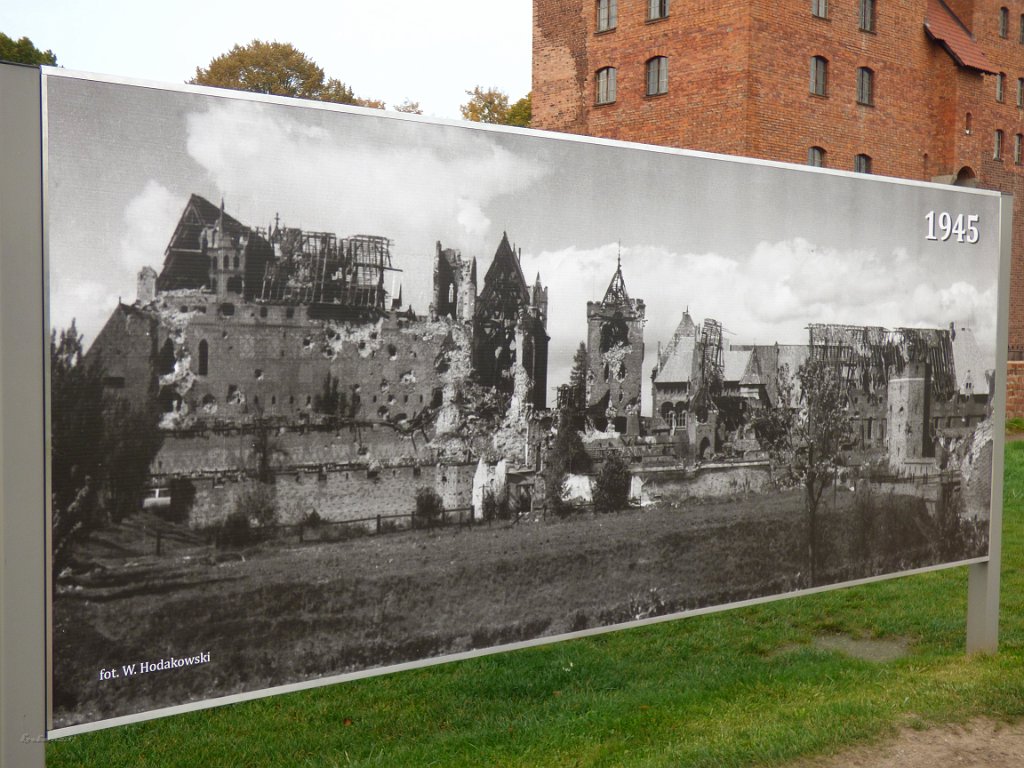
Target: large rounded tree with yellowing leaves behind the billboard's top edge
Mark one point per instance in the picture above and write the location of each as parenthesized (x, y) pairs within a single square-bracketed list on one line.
[(279, 69)]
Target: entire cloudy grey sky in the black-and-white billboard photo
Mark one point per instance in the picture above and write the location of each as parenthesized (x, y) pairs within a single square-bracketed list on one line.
[(764, 249)]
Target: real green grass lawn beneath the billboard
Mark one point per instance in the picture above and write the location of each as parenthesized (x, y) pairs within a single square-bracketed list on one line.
[(742, 689)]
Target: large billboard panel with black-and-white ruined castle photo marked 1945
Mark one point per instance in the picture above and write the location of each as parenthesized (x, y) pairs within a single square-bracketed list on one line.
[(334, 391)]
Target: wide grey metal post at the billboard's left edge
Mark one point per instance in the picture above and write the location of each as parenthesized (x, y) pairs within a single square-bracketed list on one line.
[(23, 509)]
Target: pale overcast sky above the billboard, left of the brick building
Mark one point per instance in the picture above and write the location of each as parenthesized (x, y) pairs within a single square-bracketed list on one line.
[(428, 53)]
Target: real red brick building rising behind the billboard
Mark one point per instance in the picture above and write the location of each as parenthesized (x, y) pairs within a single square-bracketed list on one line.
[(921, 90)]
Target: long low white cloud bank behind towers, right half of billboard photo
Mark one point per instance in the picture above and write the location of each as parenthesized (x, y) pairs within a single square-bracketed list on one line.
[(772, 295)]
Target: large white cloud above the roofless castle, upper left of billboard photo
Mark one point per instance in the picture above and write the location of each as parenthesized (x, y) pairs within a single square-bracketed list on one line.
[(265, 162)]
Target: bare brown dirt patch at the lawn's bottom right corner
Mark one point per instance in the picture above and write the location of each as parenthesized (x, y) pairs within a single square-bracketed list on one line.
[(980, 744)]
